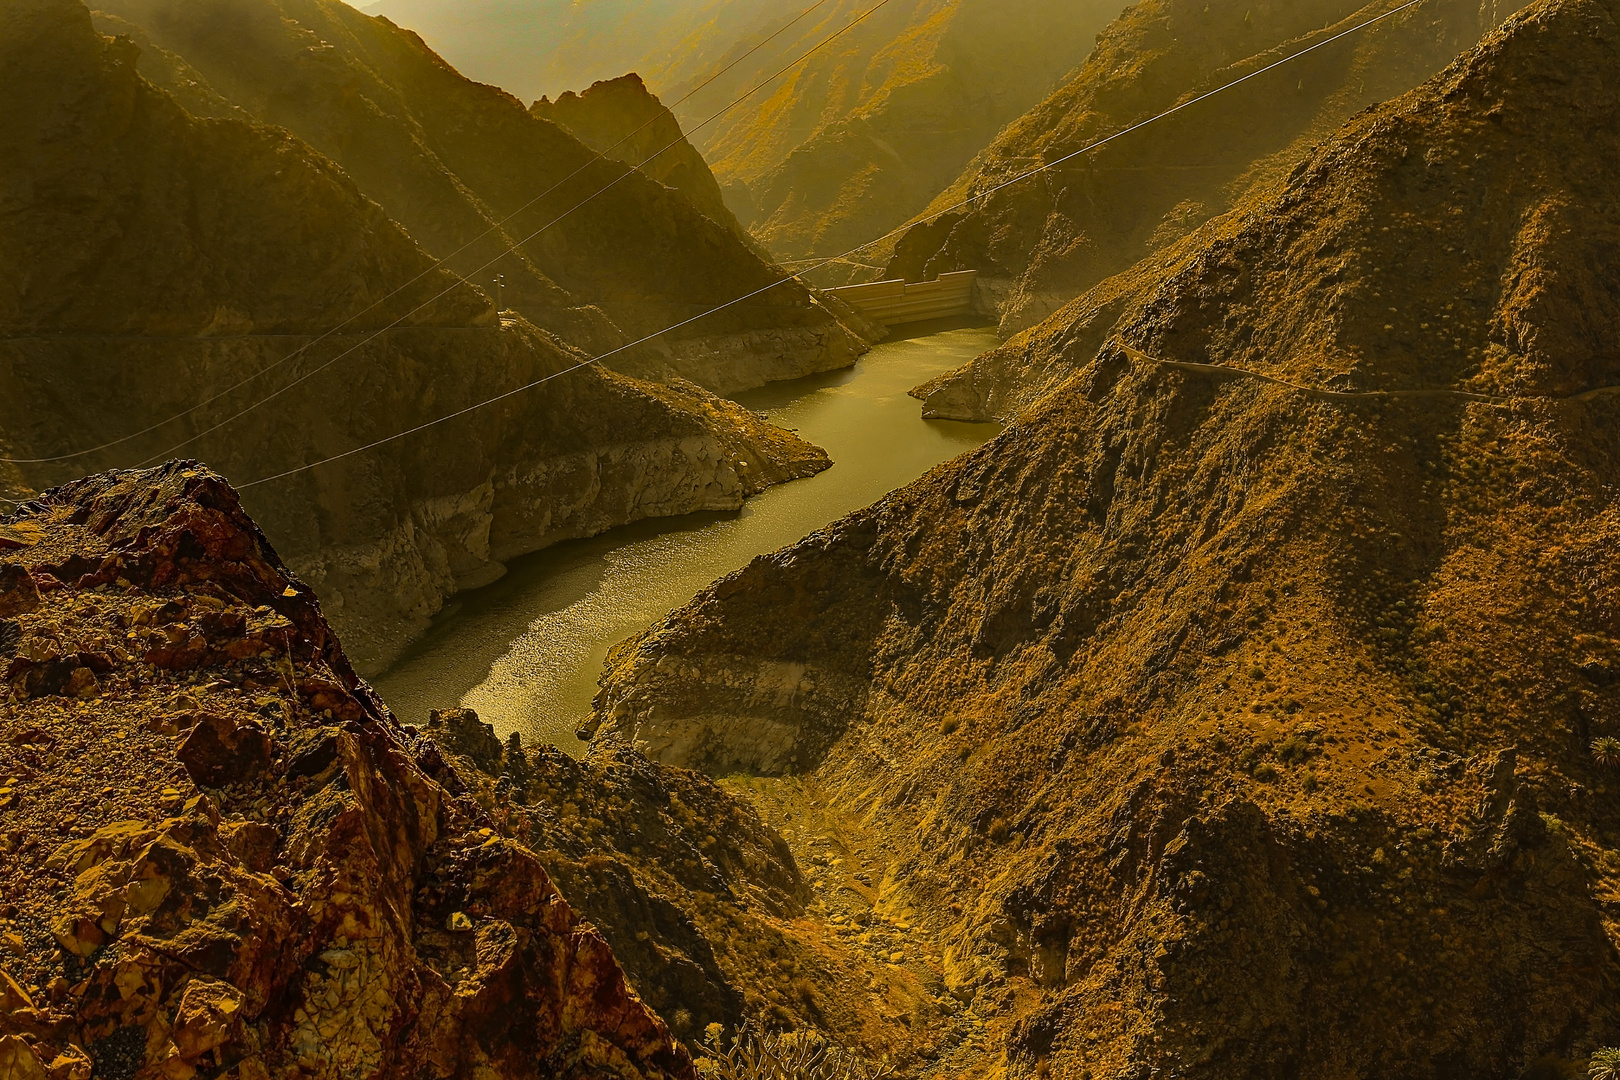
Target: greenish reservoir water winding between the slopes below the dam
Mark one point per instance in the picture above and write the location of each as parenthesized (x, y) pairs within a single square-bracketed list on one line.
[(527, 652)]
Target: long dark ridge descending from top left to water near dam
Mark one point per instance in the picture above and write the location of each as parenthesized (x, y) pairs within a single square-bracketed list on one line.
[(461, 168)]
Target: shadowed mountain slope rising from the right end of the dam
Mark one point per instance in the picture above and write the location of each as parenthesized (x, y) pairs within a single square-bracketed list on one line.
[(1046, 240)]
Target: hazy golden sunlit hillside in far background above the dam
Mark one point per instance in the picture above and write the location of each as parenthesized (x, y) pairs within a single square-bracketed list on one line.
[(851, 143)]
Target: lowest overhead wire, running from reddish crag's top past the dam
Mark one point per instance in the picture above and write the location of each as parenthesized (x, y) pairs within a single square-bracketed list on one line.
[(838, 258)]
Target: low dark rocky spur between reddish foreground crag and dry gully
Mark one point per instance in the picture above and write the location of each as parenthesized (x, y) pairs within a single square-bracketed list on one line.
[(701, 898)]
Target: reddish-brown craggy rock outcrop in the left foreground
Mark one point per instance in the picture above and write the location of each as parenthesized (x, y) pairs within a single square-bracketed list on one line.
[(223, 854)]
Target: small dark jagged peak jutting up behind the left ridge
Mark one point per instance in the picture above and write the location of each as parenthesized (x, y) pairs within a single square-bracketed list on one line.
[(623, 121)]
